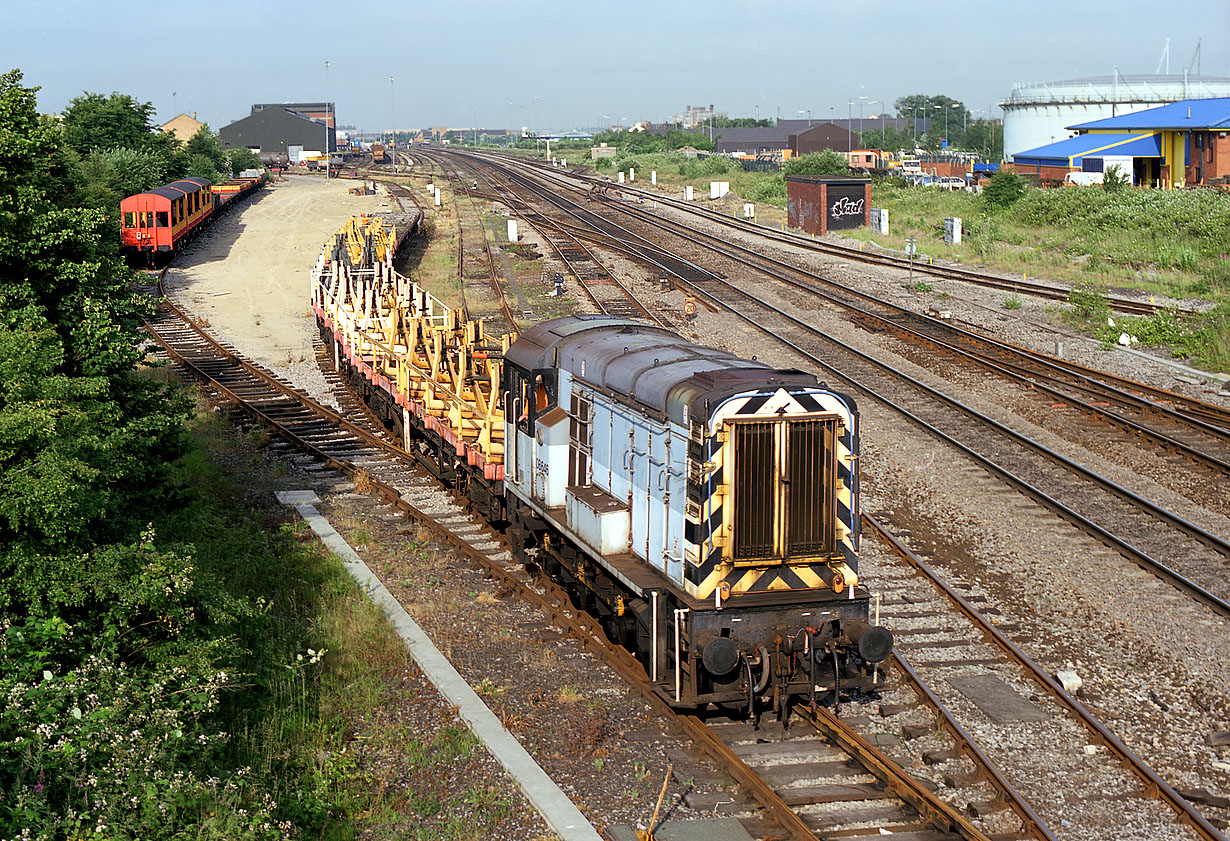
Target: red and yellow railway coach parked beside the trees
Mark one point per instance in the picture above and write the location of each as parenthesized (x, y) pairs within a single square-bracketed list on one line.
[(157, 222)]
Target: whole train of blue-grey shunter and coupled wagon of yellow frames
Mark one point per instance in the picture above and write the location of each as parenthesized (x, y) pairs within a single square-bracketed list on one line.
[(703, 506)]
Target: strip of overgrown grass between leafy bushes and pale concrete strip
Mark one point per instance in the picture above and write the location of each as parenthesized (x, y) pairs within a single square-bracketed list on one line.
[(318, 653)]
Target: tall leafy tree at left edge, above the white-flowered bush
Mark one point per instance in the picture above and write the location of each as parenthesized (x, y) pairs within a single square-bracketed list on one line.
[(84, 442)]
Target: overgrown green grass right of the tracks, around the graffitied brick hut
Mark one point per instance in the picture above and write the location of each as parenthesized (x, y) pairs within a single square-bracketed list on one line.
[(1165, 243)]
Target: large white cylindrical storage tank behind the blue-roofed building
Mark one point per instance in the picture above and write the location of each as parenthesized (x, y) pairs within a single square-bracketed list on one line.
[(1039, 114)]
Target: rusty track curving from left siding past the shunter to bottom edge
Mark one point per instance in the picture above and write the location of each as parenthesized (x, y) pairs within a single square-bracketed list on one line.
[(848, 780)]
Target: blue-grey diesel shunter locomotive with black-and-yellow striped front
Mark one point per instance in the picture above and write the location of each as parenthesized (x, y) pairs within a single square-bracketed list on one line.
[(704, 505)]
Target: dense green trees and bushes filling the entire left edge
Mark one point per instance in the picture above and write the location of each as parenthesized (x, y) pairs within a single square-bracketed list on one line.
[(124, 651)]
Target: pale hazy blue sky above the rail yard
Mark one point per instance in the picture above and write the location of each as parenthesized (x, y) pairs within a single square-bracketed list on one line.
[(563, 66)]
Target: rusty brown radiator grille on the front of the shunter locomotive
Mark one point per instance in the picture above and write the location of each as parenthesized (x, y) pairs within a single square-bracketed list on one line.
[(785, 489)]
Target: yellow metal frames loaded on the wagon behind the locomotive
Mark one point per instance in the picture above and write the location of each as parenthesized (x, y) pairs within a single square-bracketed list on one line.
[(407, 342)]
